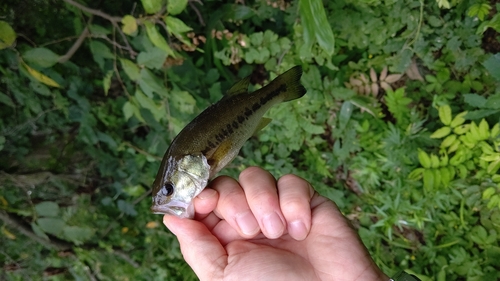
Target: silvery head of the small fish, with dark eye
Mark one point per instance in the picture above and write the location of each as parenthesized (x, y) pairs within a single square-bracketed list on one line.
[(176, 185)]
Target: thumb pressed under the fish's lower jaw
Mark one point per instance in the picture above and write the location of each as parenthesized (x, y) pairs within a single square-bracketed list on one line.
[(201, 250)]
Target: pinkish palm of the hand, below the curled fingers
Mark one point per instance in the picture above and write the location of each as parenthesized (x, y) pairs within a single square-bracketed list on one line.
[(328, 251)]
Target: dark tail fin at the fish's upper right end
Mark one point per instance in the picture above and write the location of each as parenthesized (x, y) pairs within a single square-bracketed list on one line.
[(291, 82)]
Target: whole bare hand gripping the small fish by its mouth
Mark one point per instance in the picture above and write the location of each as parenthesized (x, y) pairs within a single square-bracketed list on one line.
[(263, 229)]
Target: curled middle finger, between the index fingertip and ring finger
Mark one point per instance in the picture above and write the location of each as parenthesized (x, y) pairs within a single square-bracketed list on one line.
[(233, 207)]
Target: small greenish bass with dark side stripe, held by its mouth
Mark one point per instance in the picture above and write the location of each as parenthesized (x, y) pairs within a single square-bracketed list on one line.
[(214, 138)]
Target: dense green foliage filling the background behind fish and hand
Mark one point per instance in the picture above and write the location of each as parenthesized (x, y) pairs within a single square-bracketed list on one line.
[(90, 100)]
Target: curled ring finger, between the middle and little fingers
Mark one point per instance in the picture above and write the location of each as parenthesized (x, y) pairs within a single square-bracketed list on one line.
[(262, 197)]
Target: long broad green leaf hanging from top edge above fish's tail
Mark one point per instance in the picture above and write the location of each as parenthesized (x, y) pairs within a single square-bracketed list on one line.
[(313, 17)]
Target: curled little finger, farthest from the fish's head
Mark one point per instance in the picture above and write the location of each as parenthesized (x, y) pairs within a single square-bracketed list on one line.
[(295, 201)]
